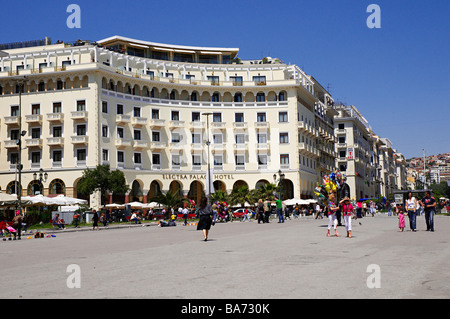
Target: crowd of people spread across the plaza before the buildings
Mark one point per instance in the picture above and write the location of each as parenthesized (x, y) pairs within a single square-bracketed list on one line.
[(333, 209)]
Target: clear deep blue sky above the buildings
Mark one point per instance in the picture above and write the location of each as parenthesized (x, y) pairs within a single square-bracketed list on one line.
[(397, 76)]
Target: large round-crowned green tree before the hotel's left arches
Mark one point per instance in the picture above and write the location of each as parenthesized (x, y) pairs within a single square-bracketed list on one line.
[(102, 179)]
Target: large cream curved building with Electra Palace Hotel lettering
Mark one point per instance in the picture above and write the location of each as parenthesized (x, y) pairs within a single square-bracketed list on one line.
[(142, 108)]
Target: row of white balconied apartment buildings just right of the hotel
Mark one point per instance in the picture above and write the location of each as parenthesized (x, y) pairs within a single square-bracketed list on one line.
[(366, 159)]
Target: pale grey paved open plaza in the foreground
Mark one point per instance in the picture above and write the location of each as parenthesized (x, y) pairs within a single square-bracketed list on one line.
[(241, 260)]
